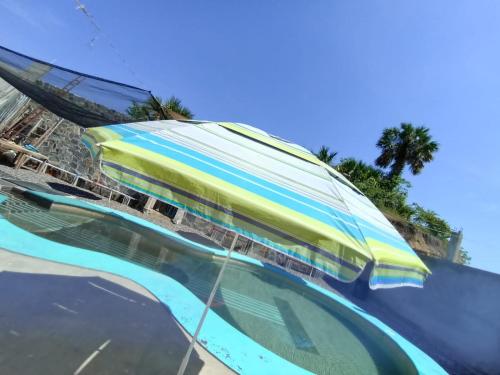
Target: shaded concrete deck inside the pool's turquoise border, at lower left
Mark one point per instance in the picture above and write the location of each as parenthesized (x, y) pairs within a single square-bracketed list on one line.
[(74, 311)]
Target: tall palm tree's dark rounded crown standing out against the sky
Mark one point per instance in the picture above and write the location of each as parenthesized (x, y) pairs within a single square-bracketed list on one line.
[(407, 145)]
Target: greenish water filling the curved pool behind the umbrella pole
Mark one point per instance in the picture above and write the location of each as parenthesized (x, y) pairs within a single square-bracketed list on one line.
[(277, 311)]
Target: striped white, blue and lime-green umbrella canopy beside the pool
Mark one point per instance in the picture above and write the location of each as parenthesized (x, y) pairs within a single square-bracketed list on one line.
[(262, 187)]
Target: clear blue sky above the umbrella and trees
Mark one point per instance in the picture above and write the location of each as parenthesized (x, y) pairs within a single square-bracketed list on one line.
[(316, 72)]
